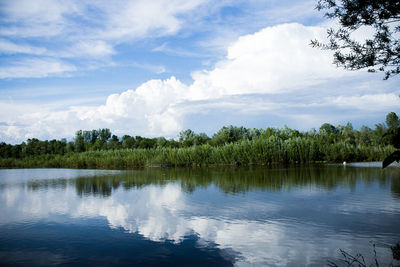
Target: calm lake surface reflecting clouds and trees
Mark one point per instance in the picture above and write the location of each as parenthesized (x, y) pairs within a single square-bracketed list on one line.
[(205, 216)]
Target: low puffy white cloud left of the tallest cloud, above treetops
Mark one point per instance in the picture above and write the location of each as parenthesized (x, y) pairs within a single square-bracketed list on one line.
[(148, 110)]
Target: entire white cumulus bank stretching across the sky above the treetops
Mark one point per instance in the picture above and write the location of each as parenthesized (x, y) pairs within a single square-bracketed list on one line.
[(272, 75)]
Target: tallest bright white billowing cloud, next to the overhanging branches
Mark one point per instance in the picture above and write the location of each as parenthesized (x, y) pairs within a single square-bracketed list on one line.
[(274, 60)]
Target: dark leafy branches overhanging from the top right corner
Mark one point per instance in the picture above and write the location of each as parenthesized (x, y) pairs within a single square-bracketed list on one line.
[(381, 51)]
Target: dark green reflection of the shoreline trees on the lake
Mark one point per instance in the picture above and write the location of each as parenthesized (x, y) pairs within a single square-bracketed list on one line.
[(232, 180)]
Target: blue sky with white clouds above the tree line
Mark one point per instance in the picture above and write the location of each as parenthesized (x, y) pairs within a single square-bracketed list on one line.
[(155, 68)]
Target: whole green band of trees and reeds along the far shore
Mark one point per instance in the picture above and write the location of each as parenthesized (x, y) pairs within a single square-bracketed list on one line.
[(230, 145)]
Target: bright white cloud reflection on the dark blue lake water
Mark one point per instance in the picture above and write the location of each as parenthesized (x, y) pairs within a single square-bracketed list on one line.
[(158, 214)]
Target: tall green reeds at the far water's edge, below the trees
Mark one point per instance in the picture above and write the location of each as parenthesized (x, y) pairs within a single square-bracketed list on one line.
[(246, 152)]
